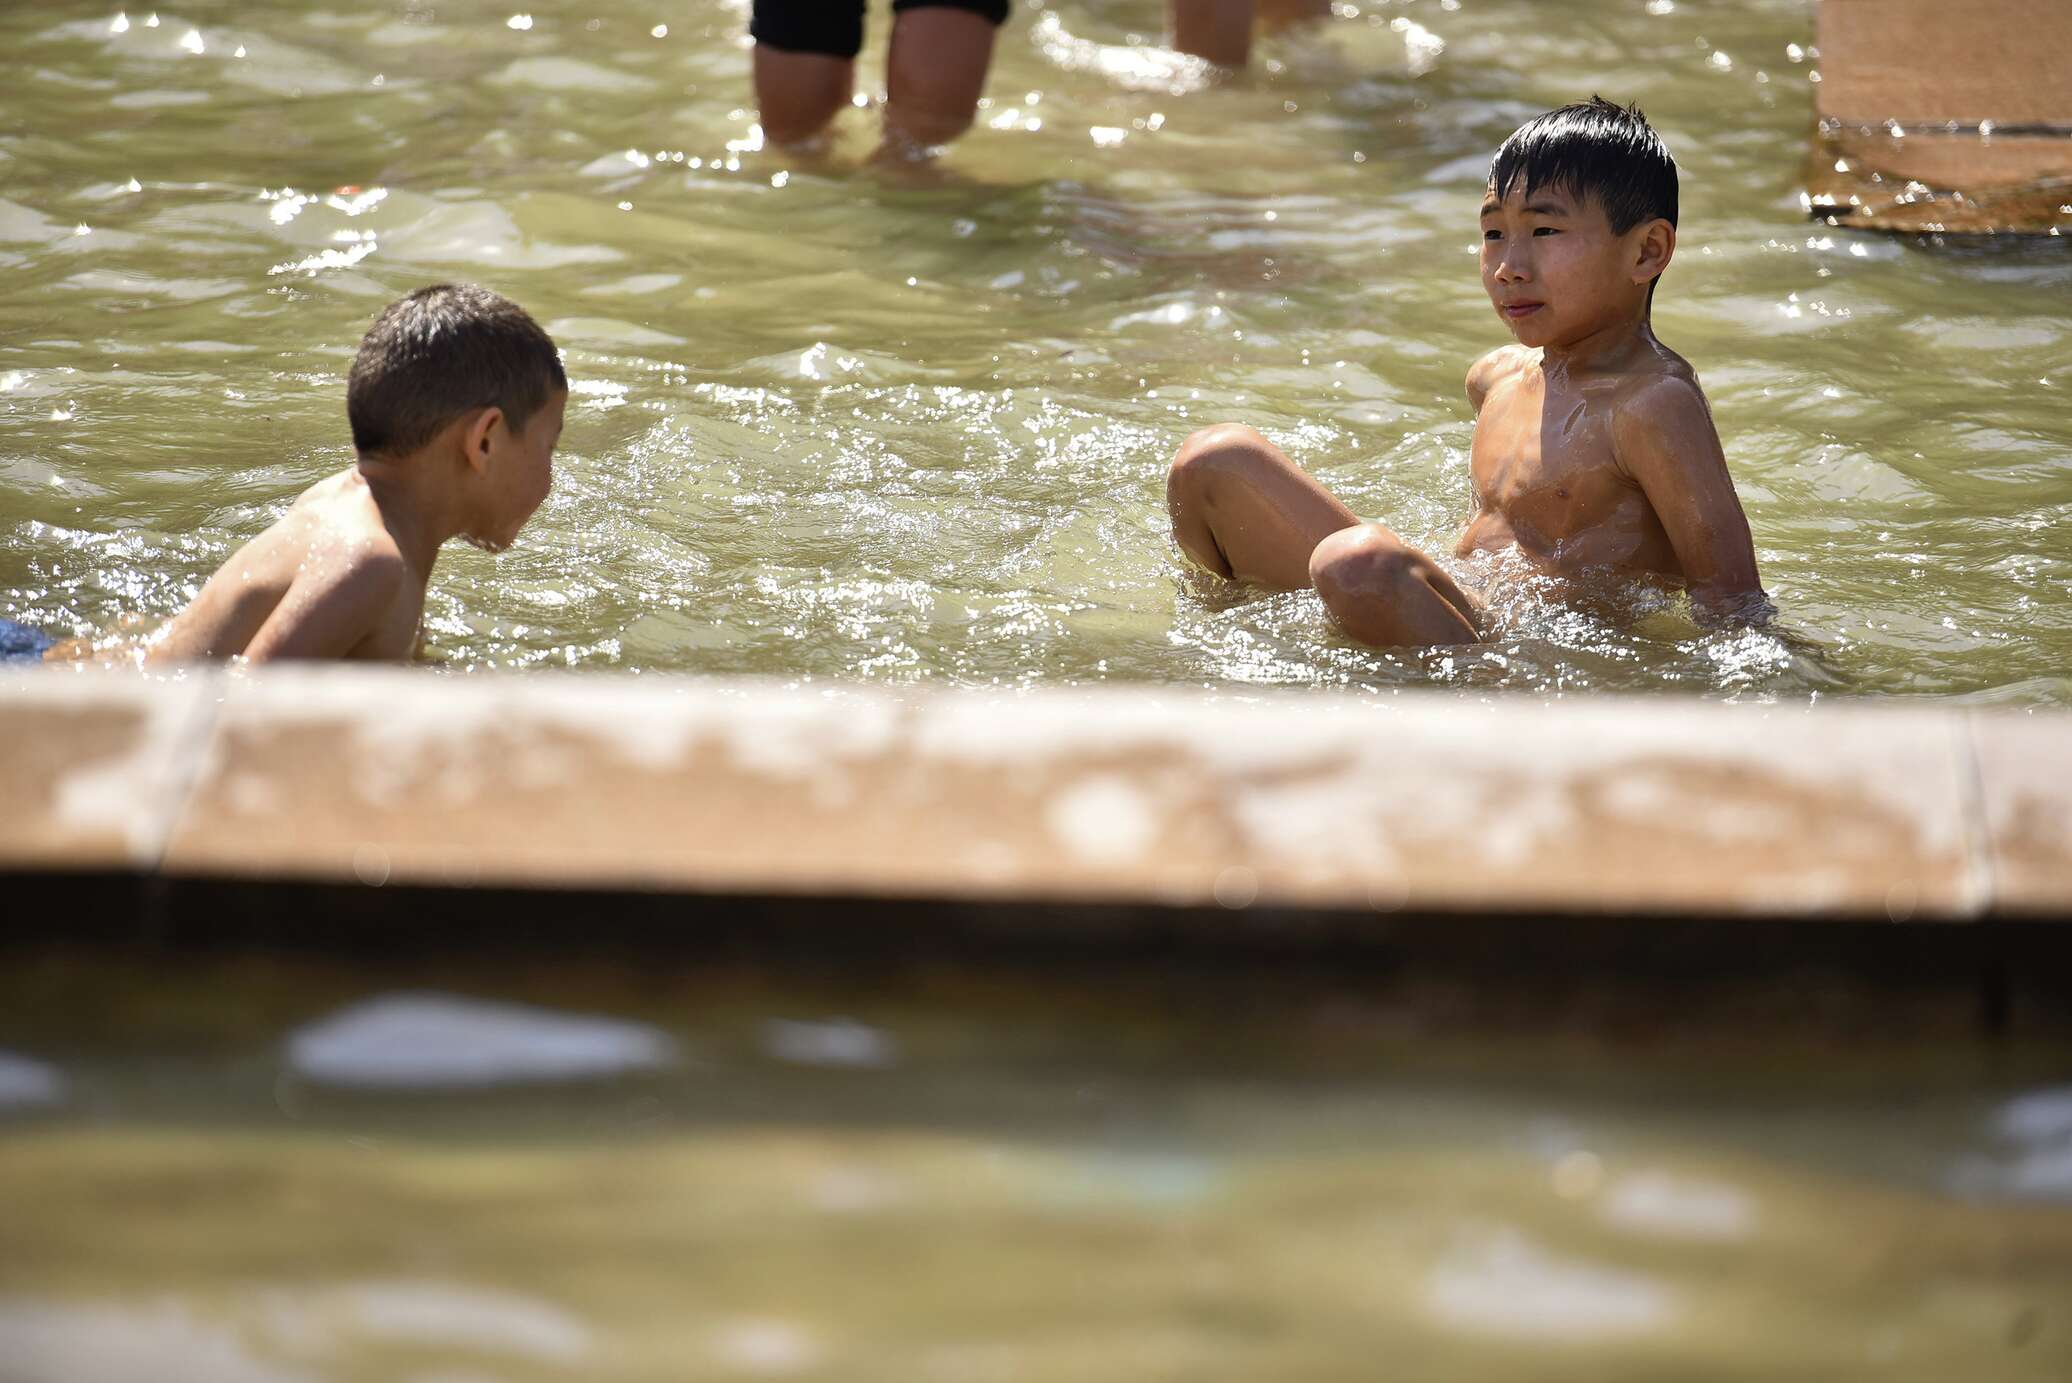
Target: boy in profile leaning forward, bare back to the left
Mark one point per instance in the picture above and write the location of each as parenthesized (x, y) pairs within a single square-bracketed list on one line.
[(457, 403)]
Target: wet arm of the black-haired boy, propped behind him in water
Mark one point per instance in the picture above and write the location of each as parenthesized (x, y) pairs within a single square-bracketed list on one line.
[(1667, 443)]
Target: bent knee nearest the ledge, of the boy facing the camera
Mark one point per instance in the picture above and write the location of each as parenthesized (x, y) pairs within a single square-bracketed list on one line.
[(1387, 594)]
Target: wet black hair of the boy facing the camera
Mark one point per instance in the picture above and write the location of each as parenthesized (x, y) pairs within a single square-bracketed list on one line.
[(1592, 150)]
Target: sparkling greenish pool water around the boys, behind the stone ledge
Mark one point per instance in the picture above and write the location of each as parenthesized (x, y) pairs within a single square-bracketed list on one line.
[(834, 424)]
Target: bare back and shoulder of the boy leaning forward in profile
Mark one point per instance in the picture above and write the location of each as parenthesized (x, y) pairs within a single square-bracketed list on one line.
[(326, 582)]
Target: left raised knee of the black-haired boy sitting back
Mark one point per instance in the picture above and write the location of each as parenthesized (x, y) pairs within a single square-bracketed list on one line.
[(1242, 509)]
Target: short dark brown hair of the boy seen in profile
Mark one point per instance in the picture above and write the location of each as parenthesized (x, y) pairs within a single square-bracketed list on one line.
[(440, 354)]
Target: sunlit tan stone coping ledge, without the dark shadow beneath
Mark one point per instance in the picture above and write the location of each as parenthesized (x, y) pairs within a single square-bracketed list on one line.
[(1134, 795)]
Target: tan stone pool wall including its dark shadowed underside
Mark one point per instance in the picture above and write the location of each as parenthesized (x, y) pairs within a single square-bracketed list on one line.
[(1681, 864)]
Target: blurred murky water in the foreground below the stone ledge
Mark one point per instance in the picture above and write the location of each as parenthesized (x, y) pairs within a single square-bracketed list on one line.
[(299, 1175)]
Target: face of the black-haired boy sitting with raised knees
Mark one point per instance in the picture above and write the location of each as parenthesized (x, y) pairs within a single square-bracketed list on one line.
[(1553, 266)]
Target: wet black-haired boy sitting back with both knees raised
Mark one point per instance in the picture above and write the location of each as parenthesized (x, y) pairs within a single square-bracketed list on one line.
[(1594, 449)]
